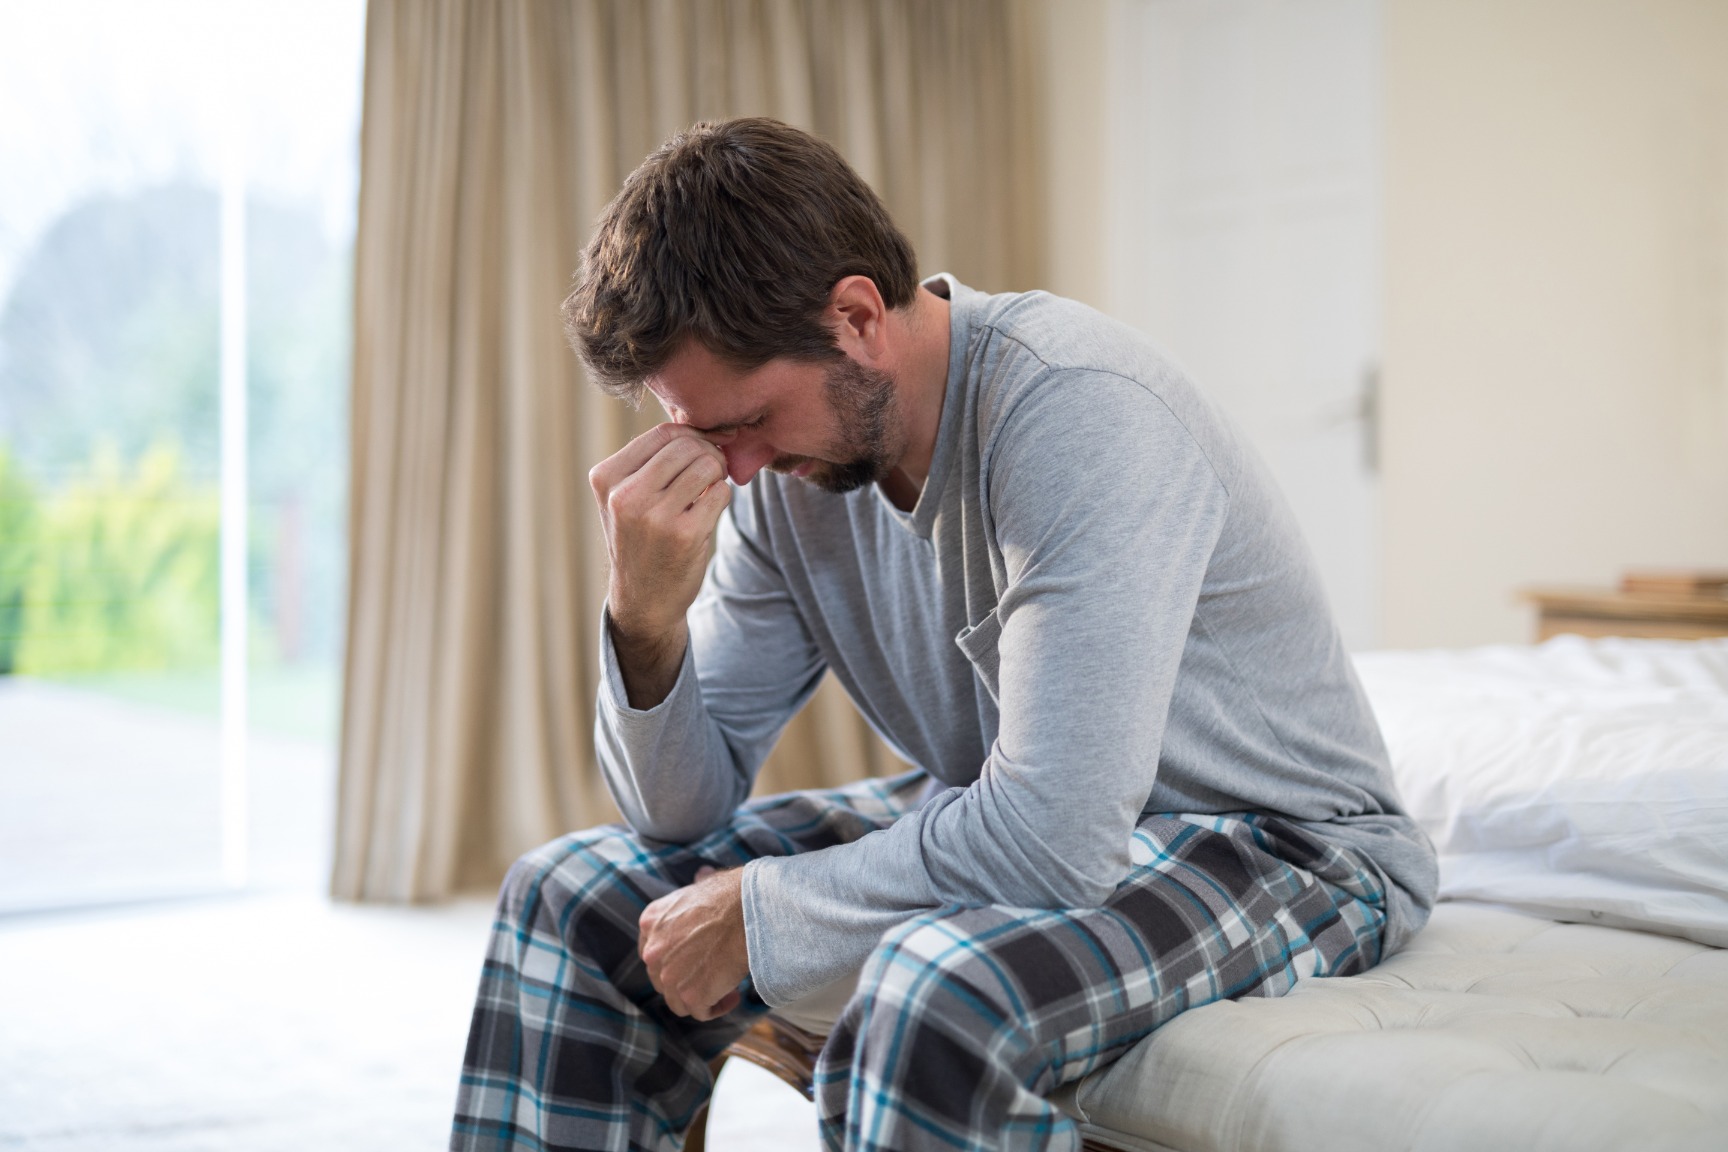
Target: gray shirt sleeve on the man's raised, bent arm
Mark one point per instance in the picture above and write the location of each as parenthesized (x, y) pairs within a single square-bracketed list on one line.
[(682, 768)]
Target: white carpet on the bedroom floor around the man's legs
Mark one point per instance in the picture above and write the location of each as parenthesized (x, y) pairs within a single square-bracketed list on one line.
[(267, 1025)]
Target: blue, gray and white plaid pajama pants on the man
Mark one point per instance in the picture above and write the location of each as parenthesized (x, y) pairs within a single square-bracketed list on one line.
[(965, 1018)]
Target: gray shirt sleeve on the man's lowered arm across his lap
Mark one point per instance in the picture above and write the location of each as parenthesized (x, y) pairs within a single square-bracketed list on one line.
[(1107, 514)]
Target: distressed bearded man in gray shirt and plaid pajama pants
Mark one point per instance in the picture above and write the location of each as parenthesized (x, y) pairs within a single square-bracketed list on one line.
[(1050, 576)]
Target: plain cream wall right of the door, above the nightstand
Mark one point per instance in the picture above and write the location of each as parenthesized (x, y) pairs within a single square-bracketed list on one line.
[(1556, 379)]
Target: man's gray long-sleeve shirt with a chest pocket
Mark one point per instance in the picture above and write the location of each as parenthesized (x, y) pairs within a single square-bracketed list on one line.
[(1100, 607)]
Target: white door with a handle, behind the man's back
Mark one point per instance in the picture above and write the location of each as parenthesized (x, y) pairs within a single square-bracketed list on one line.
[(1245, 237)]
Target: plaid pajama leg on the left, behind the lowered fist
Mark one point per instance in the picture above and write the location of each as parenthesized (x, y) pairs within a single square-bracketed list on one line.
[(571, 1048)]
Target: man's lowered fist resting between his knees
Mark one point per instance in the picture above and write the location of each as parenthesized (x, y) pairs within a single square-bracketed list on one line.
[(694, 946)]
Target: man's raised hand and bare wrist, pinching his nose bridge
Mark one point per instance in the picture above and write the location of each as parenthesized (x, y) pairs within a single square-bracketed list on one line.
[(659, 500)]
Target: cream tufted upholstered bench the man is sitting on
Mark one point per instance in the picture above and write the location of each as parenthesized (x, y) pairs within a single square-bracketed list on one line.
[(1494, 1030)]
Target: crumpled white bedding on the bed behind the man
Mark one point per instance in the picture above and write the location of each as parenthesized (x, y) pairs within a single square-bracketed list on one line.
[(1577, 780)]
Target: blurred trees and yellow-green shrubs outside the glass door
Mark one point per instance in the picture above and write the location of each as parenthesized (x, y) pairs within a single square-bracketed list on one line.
[(110, 336)]
